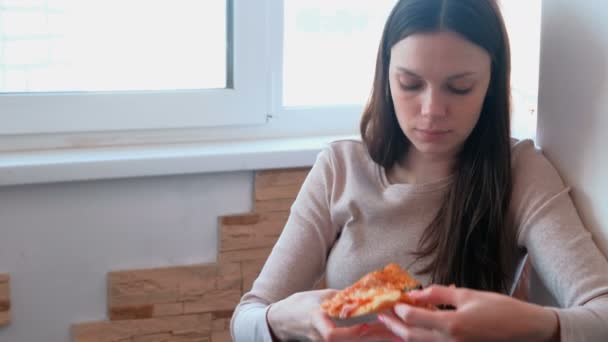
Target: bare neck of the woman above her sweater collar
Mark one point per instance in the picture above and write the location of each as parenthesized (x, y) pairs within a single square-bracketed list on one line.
[(420, 168)]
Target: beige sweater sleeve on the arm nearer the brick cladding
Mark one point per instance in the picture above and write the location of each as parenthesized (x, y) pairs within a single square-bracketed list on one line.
[(298, 259)]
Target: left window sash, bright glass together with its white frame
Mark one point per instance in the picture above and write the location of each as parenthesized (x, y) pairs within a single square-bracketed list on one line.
[(99, 65)]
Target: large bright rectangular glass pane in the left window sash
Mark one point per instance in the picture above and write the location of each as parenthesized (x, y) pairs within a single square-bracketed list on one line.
[(112, 45)]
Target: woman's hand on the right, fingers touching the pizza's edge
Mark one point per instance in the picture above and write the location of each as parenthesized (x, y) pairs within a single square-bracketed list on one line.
[(479, 316)]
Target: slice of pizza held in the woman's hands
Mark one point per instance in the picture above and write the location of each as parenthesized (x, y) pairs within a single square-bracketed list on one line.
[(375, 292)]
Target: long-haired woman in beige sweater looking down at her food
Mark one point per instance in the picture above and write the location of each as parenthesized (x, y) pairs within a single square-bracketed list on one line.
[(438, 186)]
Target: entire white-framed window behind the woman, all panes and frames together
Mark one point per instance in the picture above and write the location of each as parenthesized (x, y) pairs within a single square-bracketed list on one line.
[(133, 66)]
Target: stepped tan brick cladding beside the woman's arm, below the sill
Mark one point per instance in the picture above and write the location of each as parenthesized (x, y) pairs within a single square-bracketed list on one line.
[(195, 302)]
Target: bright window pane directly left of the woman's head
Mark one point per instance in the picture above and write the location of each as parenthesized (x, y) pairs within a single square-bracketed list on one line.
[(330, 50)]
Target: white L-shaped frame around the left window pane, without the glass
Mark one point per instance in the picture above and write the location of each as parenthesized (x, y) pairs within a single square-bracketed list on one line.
[(243, 104)]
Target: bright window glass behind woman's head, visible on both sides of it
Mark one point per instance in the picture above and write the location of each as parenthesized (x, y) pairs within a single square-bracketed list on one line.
[(329, 51)]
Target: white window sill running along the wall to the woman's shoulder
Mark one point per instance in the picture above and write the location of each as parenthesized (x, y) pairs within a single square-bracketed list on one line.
[(140, 161)]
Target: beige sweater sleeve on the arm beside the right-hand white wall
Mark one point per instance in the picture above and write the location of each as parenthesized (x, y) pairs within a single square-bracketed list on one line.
[(561, 250)]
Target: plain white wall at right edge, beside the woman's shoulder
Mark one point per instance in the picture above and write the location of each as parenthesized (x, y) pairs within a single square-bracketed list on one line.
[(573, 104)]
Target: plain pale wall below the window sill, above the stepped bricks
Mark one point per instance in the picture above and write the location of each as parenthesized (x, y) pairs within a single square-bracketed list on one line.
[(58, 241)]
